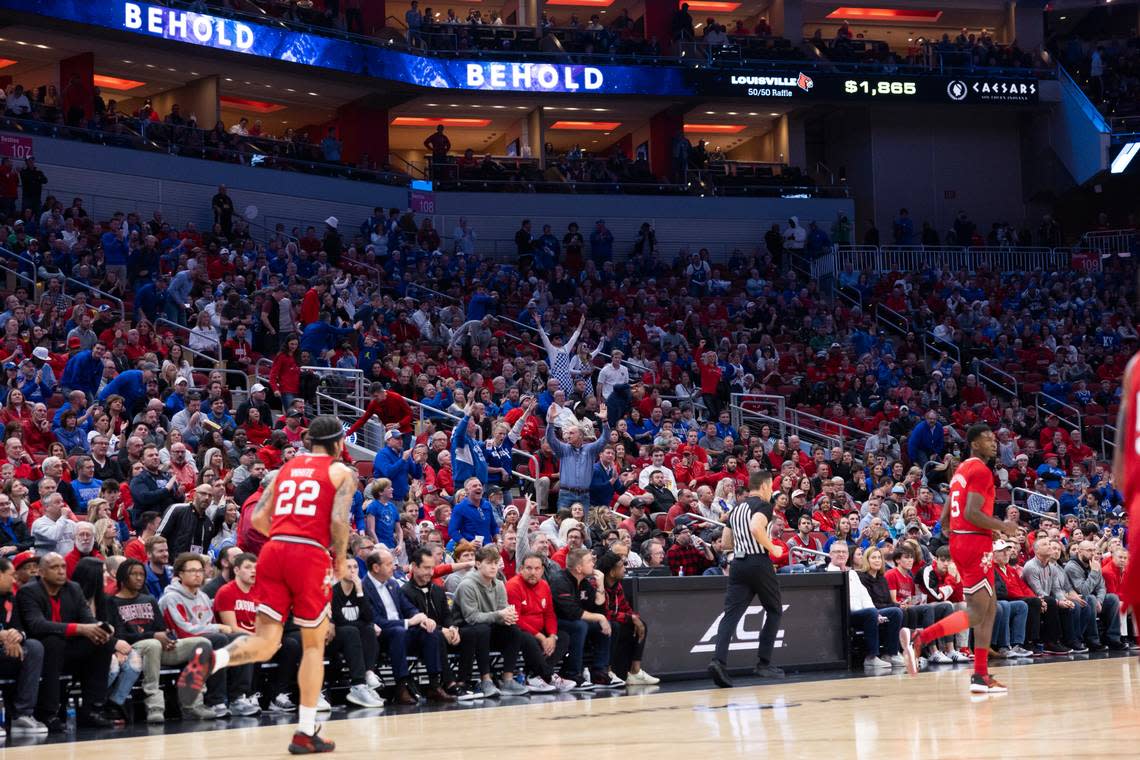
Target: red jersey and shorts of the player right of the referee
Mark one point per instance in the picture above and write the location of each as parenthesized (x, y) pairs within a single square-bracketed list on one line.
[(971, 546)]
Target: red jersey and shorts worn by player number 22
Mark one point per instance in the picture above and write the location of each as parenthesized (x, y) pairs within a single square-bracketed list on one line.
[(295, 568)]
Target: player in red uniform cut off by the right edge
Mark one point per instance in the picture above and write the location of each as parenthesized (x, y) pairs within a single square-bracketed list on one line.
[(1127, 478)]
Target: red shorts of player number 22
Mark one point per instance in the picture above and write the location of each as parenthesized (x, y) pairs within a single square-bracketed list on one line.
[(295, 578)]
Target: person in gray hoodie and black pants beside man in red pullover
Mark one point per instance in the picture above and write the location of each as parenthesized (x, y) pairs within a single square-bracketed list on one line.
[(483, 614)]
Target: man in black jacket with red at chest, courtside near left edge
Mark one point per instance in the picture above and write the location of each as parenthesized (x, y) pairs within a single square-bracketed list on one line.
[(55, 614)]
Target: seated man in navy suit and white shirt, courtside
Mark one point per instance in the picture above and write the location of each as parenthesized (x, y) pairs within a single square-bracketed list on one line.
[(404, 630)]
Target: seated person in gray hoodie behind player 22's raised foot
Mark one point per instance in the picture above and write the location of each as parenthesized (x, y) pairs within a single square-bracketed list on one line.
[(190, 612)]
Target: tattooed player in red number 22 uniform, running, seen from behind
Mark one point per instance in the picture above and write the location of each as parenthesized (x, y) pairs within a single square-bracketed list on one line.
[(304, 511)]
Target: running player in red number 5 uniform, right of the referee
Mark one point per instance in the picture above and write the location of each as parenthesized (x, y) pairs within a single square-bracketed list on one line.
[(968, 520)]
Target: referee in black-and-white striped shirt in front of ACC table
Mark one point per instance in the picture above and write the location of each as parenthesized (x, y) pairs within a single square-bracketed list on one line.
[(752, 575)]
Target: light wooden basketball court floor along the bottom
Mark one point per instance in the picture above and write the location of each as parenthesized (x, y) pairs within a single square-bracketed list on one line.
[(1052, 707)]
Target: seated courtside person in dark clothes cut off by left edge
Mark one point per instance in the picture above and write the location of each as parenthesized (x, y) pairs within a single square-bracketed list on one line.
[(20, 657)]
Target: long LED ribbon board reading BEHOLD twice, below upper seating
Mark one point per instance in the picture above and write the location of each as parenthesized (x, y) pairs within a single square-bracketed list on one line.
[(426, 71)]
